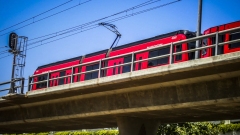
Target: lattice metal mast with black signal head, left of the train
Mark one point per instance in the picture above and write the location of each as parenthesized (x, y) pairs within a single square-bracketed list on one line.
[(18, 49)]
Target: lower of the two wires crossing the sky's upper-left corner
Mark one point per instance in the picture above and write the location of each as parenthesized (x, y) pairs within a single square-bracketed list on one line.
[(45, 17)]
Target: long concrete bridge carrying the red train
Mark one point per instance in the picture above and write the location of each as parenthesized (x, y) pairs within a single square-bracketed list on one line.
[(136, 102)]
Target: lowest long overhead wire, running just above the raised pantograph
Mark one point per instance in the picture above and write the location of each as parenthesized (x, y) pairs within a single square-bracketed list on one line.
[(109, 21)]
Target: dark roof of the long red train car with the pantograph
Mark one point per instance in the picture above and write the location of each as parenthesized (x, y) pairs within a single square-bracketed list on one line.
[(117, 48)]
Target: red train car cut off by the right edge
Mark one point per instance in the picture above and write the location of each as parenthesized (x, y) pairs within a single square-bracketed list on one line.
[(227, 48)]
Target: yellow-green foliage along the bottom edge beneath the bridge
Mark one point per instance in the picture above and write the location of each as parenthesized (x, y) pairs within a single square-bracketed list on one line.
[(188, 128)]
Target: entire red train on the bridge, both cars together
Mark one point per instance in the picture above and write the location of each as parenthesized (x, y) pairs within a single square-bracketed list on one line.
[(133, 47)]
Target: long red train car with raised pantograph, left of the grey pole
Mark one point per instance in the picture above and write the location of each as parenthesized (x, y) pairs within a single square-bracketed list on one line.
[(62, 68)]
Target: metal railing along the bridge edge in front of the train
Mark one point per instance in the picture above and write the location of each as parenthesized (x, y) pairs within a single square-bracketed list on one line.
[(158, 46)]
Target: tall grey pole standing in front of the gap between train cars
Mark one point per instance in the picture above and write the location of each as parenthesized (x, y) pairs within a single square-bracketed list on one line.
[(198, 26)]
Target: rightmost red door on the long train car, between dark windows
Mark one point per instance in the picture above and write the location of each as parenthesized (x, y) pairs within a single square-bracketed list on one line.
[(143, 64)]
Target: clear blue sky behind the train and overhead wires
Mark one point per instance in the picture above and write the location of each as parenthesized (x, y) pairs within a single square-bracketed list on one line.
[(180, 15)]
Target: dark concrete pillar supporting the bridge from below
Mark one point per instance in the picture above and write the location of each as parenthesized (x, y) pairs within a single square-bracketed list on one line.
[(137, 126)]
